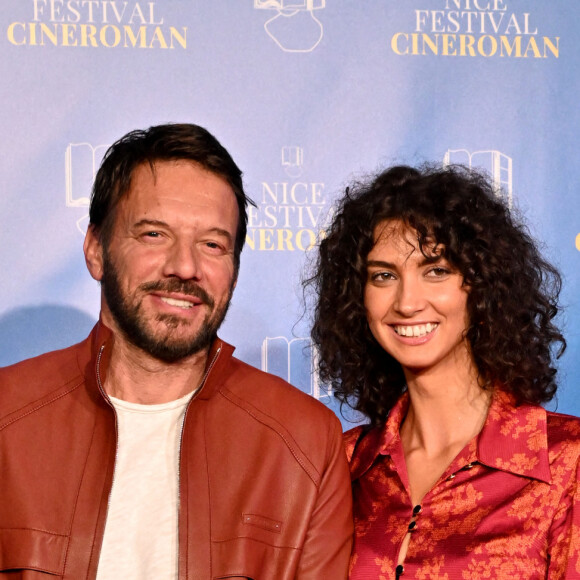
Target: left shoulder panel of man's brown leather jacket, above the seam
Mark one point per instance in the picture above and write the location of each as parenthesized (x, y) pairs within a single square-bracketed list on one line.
[(35, 378)]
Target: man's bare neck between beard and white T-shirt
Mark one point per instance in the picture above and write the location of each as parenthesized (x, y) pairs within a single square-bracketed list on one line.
[(137, 377)]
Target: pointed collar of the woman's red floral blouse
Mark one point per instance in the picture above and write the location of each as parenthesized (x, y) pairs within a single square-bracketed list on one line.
[(513, 439)]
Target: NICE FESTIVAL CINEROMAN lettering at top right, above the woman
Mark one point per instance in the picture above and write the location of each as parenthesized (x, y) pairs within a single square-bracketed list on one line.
[(474, 28)]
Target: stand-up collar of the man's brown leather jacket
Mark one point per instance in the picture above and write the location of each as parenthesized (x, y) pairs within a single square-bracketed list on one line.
[(102, 339)]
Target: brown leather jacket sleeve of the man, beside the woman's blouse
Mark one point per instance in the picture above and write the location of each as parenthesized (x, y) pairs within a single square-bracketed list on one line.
[(328, 544)]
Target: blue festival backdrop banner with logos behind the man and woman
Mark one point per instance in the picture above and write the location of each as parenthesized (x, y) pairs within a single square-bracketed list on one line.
[(306, 95)]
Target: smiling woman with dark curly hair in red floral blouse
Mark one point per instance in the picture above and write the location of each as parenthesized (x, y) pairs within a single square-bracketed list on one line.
[(435, 320)]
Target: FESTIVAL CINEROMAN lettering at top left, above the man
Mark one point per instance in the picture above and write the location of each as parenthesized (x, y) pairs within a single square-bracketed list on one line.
[(96, 23)]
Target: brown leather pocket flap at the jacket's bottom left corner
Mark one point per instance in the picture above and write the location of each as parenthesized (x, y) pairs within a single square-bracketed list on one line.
[(29, 549)]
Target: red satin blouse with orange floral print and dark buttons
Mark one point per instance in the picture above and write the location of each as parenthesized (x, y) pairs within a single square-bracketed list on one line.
[(508, 506)]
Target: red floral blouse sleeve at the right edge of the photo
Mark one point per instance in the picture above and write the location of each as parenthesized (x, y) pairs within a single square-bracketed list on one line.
[(564, 548)]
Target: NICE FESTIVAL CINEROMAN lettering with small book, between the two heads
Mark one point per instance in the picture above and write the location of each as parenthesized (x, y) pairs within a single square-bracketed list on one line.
[(290, 212)]
